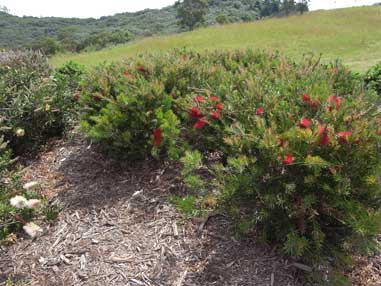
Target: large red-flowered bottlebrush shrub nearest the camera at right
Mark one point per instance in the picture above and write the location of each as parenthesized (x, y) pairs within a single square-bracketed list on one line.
[(303, 164)]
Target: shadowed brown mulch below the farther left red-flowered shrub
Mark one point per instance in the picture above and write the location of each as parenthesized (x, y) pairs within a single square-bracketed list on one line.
[(92, 180)]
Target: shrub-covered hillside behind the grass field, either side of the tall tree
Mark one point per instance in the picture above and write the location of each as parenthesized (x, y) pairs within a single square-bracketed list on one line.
[(63, 34)]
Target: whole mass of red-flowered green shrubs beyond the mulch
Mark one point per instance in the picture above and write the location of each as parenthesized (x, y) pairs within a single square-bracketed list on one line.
[(299, 144)]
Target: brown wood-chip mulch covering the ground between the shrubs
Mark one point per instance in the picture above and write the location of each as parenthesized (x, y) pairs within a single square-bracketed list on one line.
[(116, 227)]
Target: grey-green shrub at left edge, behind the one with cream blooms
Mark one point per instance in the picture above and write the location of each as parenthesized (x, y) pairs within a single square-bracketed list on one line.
[(33, 105)]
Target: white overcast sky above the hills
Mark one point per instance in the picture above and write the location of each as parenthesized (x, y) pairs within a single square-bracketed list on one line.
[(98, 8)]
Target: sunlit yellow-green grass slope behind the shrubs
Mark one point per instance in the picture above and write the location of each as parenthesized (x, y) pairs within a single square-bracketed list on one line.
[(353, 35)]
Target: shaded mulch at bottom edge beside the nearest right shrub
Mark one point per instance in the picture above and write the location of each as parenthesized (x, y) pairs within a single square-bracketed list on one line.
[(236, 262)]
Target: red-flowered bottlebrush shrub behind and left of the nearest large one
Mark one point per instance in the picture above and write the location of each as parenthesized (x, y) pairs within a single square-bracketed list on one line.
[(177, 96)]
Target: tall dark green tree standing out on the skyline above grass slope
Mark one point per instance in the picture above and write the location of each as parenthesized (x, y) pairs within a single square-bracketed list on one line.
[(191, 12)]
